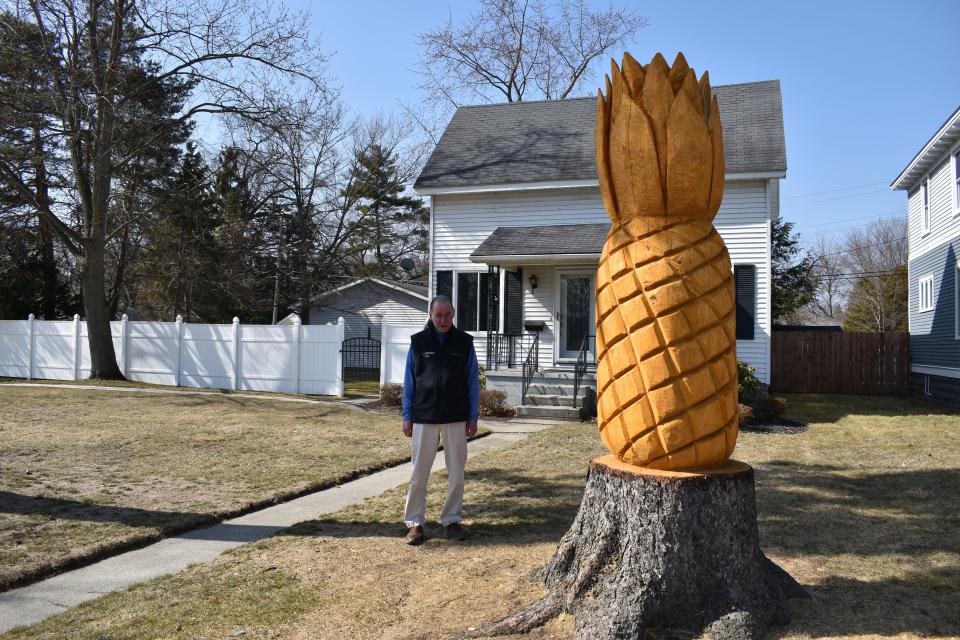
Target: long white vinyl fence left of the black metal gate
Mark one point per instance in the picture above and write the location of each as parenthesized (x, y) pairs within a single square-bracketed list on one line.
[(288, 358)]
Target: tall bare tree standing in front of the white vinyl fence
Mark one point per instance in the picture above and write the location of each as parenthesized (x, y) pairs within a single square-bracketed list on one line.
[(231, 50)]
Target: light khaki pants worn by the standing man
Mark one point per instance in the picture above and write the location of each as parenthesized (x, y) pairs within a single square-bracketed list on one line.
[(426, 438)]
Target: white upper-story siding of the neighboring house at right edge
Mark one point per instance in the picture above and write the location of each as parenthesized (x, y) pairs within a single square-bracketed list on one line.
[(944, 225)]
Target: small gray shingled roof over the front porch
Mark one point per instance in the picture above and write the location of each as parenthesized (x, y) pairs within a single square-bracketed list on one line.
[(544, 240)]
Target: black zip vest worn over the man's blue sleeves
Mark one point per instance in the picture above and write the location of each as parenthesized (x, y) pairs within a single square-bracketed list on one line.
[(440, 372)]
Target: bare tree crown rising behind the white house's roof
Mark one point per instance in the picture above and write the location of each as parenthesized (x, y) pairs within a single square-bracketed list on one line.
[(512, 49)]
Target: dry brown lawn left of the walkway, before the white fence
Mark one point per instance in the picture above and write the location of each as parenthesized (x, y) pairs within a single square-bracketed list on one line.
[(83, 472)]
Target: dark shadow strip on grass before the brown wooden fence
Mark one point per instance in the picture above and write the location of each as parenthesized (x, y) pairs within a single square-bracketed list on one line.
[(819, 407)]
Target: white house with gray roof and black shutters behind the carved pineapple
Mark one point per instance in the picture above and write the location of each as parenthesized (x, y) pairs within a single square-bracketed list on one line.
[(517, 225)]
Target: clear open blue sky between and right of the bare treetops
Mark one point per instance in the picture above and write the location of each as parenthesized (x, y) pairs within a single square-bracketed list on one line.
[(865, 84)]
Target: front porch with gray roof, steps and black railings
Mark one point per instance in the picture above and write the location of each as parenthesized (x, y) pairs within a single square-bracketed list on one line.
[(541, 348)]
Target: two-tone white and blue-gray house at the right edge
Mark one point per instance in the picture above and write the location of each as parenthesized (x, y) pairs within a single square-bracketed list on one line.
[(932, 182)]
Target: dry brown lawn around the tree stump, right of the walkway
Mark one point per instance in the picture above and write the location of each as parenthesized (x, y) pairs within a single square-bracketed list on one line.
[(862, 509)]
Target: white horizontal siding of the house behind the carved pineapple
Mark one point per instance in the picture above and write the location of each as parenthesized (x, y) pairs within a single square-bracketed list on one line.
[(461, 222)]
